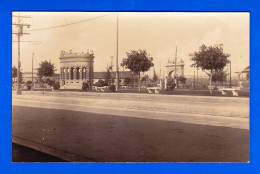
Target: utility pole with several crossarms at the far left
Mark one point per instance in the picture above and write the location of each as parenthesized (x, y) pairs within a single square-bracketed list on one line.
[(19, 33)]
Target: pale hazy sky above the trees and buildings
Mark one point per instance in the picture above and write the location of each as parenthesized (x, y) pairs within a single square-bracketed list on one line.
[(159, 33)]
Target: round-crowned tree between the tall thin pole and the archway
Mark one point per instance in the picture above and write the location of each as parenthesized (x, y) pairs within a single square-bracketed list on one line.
[(138, 61)]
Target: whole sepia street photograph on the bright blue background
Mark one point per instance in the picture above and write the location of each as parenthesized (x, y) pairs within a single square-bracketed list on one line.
[(130, 87)]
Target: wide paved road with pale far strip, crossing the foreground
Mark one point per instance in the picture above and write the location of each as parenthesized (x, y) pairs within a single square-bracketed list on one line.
[(119, 129)]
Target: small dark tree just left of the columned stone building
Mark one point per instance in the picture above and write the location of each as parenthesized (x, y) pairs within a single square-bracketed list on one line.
[(46, 69)]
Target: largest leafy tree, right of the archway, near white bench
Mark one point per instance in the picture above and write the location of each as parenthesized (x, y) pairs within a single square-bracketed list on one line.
[(210, 59)]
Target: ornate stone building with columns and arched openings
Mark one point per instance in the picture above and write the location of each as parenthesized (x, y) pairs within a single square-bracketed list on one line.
[(76, 68)]
